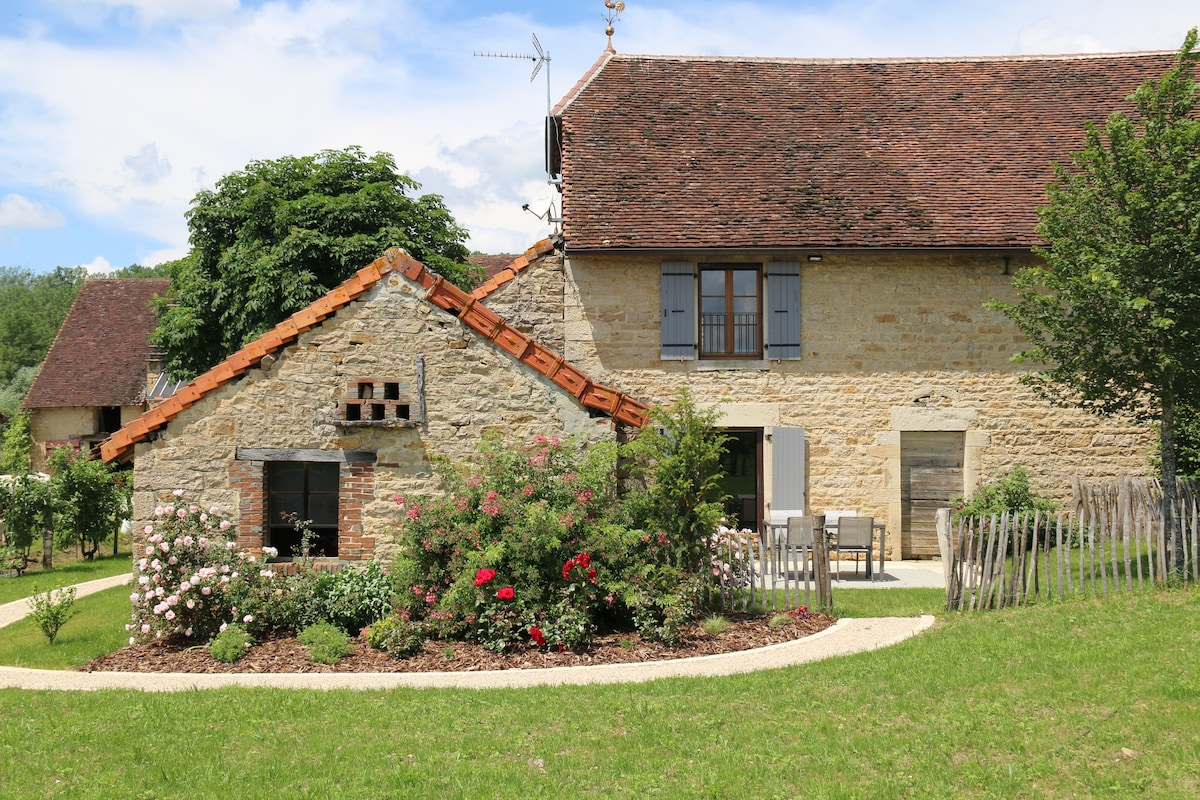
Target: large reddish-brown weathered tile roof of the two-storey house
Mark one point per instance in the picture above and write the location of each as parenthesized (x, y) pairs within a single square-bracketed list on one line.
[(721, 153)]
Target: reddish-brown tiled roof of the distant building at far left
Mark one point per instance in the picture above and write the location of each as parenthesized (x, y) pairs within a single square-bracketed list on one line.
[(99, 357)]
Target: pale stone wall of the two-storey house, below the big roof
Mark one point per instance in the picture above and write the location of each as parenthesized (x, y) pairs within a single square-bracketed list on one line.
[(891, 344)]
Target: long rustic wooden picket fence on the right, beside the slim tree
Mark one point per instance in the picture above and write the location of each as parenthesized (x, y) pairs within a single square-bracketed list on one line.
[(1112, 540)]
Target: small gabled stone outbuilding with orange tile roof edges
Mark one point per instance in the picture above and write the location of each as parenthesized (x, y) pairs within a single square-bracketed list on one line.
[(339, 408)]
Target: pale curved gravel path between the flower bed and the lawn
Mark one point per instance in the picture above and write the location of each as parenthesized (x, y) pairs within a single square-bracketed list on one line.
[(845, 637)]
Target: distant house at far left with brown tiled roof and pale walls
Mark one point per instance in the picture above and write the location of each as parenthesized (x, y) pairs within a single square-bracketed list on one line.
[(100, 372)]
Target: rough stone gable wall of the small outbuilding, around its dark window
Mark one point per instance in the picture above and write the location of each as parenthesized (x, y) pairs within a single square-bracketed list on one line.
[(292, 405)]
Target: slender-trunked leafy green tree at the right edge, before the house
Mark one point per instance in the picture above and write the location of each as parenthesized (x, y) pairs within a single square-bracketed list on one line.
[(1114, 311)]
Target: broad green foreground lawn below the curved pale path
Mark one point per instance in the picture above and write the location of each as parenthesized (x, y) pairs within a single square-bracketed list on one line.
[(1083, 699)]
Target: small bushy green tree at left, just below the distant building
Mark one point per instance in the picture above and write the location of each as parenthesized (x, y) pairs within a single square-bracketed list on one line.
[(89, 501)]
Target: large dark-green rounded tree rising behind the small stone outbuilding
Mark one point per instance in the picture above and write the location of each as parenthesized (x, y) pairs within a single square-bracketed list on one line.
[(273, 238)]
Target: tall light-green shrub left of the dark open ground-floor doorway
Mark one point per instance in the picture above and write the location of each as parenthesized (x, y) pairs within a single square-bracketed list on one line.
[(679, 458)]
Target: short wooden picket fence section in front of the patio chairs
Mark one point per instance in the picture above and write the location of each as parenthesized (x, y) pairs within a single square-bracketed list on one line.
[(763, 570)]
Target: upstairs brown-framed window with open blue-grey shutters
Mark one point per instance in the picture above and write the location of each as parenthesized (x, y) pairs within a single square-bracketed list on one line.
[(729, 311)]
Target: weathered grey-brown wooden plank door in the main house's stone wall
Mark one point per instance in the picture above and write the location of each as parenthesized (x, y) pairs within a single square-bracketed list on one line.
[(931, 474)]
